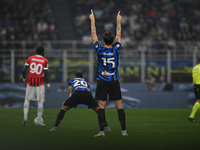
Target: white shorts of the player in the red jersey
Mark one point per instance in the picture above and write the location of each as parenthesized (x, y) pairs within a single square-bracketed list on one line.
[(35, 93)]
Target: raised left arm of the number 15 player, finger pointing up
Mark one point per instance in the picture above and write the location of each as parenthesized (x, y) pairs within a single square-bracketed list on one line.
[(93, 28)]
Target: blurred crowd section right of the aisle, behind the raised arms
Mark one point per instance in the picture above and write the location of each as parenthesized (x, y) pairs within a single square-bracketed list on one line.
[(143, 20)]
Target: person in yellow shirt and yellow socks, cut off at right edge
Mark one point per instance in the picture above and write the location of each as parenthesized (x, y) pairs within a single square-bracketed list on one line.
[(196, 87)]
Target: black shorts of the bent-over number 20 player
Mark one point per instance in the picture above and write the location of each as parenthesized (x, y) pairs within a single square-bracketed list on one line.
[(81, 97)]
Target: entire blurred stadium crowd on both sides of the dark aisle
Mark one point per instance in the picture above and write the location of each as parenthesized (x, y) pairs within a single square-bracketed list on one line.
[(143, 20)]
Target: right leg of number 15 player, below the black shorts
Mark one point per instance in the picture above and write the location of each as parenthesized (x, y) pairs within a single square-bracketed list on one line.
[(121, 116)]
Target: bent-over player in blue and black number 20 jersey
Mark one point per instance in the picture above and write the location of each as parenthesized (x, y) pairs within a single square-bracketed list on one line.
[(80, 93)]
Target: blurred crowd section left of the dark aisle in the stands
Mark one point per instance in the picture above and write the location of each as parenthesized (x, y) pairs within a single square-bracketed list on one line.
[(26, 20)]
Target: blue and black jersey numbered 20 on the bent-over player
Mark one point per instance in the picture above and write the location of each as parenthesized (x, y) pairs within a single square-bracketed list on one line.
[(79, 84)]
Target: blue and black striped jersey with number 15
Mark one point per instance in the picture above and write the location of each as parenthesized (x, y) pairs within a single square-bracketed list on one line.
[(107, 62)]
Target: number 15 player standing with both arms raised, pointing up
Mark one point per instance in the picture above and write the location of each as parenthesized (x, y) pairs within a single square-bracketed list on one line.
[(107, 73)]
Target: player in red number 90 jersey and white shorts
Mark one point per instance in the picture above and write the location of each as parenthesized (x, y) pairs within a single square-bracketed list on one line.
[(37, 66)]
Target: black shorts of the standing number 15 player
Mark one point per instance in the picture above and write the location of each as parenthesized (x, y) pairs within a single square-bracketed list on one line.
[(111, 88)]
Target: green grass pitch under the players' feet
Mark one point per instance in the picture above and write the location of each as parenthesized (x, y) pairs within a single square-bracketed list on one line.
[(155, 129)]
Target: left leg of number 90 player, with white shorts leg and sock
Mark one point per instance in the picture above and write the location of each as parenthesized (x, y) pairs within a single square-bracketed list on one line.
[(30, 94)]
